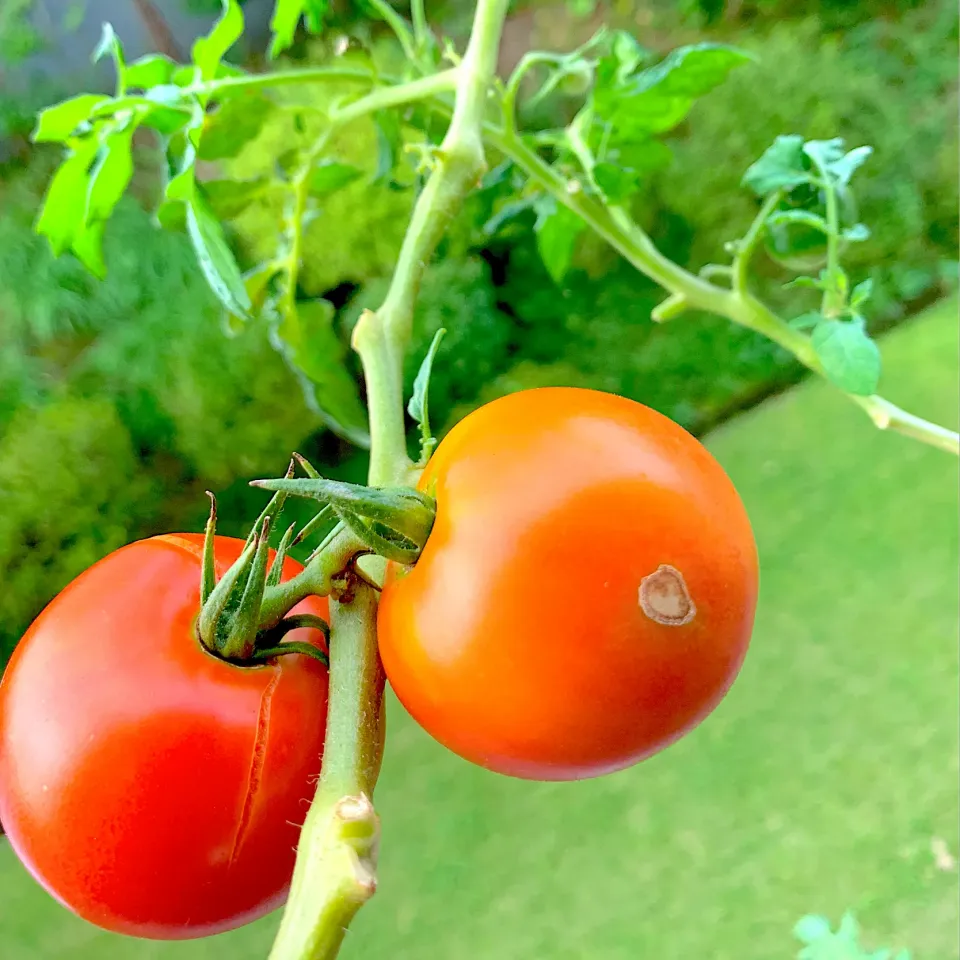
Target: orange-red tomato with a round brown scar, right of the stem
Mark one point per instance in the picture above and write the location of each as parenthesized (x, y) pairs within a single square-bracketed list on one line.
[(587, 593)]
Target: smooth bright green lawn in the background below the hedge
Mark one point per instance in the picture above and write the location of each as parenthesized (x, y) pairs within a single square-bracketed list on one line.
[(819, 785)]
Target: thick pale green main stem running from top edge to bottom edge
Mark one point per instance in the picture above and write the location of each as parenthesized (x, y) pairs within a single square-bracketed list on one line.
[(336, 859)]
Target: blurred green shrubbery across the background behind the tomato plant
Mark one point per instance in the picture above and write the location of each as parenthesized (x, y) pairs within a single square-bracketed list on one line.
[(121, 401)]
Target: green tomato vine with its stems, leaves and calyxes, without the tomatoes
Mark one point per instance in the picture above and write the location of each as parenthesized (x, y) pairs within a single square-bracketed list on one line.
[(579, 176)]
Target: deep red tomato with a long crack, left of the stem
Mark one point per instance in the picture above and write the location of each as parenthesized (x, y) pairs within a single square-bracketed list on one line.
[(151, 787)]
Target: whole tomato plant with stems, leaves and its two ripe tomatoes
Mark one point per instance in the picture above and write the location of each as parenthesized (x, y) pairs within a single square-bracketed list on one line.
[(574, 576)]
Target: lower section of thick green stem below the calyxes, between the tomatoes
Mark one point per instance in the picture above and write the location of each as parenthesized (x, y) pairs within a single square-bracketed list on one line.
[(336, 865)]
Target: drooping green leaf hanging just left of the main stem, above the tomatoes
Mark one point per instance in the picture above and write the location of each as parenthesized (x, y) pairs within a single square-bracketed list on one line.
[(306, 338)]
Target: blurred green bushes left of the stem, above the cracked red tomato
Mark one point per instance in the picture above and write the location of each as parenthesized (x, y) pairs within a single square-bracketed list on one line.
[(119, 401)]
